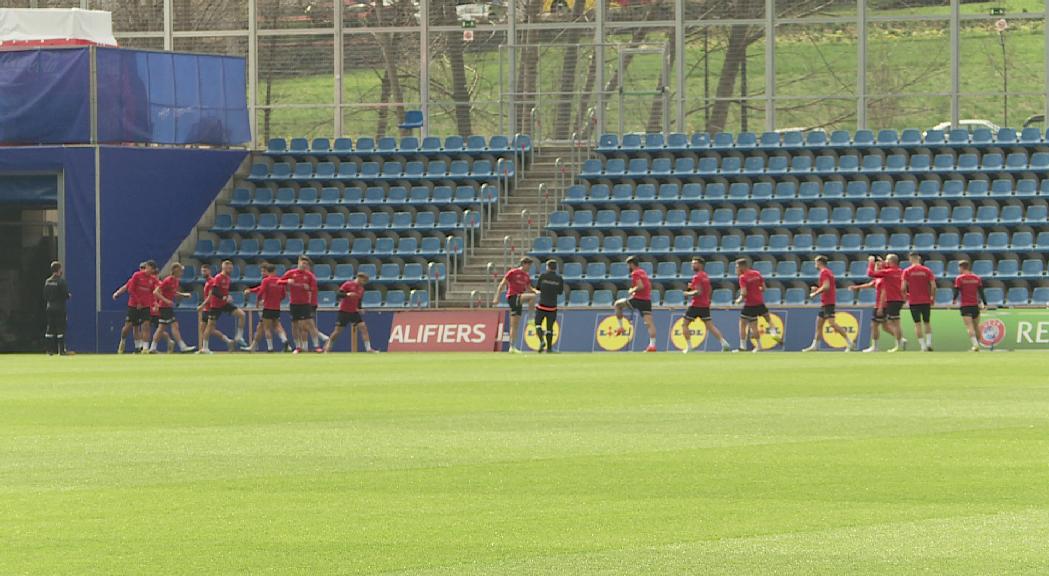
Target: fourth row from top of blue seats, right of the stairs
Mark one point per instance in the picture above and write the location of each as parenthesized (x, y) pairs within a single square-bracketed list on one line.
[(846, 216)]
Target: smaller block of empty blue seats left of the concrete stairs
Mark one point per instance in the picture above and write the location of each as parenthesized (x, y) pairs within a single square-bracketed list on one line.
[(398, 210)]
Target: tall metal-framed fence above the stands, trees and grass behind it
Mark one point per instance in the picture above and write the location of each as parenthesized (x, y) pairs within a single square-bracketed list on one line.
[(564, 68)]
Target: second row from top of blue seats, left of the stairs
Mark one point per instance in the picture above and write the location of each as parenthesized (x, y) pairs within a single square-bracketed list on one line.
[(396, 172)]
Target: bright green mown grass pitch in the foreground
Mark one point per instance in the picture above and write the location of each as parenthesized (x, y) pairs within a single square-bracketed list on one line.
[(485, 464)]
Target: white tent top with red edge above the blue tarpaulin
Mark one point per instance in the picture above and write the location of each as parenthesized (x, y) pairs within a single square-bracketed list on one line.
[(23, 28)]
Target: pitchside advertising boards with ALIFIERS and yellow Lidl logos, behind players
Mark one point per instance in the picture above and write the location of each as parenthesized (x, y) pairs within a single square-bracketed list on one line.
[(591, 331)]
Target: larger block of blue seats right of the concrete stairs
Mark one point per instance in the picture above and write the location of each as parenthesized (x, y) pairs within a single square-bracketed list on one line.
[(781, 199)]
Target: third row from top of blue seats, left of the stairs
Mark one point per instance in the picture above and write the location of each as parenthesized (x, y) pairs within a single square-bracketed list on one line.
[(368, 197)]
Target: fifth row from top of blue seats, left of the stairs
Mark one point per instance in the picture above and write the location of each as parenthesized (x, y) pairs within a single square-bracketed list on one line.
[(318, 248)]
